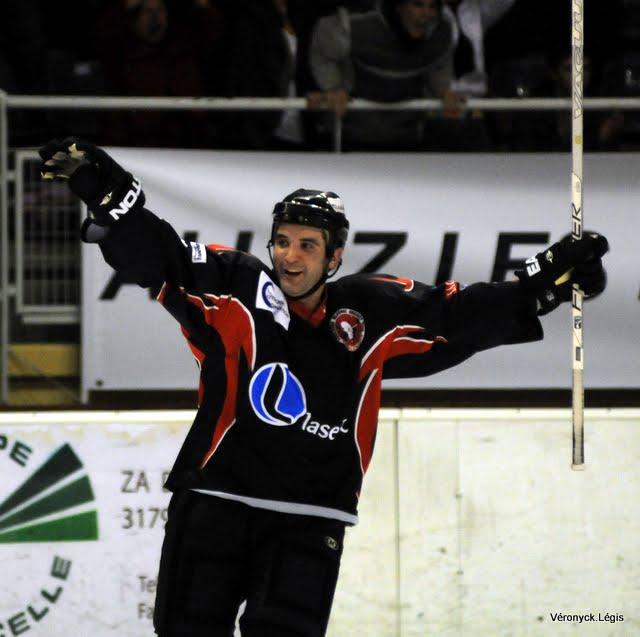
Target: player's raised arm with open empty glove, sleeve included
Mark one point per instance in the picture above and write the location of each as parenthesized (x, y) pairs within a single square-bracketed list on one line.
[(140, 246)]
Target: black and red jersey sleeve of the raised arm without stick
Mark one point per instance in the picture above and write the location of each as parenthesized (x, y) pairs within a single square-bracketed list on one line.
[(201, 286)]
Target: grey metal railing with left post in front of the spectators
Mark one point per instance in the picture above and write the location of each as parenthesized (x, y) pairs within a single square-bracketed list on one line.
[(33, 102)]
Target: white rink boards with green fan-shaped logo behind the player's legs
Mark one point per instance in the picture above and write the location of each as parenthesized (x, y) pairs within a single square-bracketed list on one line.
[(471, 523)]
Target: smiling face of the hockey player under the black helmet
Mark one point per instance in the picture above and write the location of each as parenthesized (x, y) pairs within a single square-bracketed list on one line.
[(299, 259)]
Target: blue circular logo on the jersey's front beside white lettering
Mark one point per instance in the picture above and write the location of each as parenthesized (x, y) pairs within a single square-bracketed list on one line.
[(276, 395)]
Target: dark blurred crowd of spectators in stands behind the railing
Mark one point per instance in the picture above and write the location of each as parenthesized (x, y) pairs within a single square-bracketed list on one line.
[(326, 52)]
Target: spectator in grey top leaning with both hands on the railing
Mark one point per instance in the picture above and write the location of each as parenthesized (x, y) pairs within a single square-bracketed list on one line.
[(401, 51)]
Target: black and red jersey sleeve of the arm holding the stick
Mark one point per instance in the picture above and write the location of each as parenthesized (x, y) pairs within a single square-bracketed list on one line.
[(437, 327)]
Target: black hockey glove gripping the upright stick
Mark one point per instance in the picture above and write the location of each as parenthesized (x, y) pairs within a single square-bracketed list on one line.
[(551, 273)]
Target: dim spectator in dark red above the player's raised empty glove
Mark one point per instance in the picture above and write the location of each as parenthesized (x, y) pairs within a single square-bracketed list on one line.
[(146, 52)]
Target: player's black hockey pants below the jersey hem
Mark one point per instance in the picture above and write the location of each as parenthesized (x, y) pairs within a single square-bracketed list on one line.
[(218, 553)]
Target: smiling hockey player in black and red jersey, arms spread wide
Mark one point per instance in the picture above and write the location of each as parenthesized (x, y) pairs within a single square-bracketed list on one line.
[(290, 378)]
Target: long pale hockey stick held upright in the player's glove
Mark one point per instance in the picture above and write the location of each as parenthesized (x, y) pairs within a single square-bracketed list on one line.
[(577, 296)]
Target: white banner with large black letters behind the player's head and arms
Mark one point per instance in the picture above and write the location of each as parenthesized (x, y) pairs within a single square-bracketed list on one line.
[(427, 216)]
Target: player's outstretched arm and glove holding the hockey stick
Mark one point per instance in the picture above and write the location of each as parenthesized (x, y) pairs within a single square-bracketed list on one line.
[(461, 322)]
